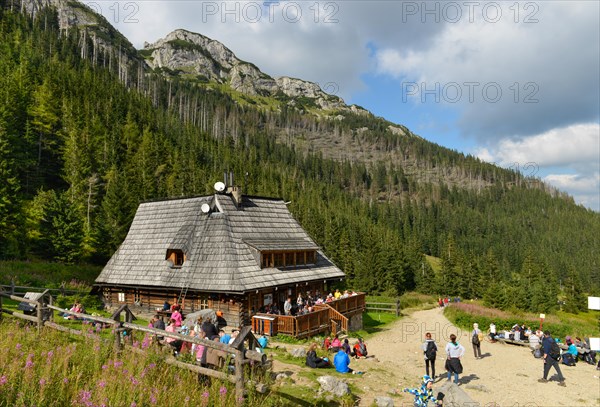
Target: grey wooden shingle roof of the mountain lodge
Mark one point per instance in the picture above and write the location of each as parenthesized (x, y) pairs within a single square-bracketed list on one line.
[(220, 246)]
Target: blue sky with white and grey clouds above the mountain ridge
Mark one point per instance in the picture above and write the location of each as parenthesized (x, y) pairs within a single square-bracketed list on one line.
[(515, 83)]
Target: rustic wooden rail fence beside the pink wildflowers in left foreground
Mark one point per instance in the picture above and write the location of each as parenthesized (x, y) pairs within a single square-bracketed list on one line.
[(241, 356)]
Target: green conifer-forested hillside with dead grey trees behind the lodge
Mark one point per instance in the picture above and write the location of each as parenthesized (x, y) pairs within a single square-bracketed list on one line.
[(86, 137)]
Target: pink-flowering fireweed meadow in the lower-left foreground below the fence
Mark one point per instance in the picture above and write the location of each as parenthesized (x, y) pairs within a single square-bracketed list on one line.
[(58, 369)]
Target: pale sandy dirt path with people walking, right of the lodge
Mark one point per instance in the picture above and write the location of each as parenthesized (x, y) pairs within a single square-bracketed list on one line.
[(506, 376)]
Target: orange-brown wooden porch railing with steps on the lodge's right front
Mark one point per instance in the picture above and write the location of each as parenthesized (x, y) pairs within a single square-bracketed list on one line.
[(327, 317)]
